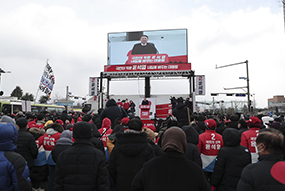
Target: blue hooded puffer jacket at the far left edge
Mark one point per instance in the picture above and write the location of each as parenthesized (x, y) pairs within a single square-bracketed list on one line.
[(14, 172)]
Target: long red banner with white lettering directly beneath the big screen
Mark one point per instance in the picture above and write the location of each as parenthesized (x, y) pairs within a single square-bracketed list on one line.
[(147, 67)]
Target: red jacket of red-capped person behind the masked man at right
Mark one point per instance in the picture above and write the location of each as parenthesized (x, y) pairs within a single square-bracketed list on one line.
[(248, 139)]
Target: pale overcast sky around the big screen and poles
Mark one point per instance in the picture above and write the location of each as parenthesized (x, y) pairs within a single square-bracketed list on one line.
[(72, 34)]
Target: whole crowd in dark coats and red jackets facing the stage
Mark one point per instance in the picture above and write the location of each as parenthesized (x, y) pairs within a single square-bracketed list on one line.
[(111, 150)]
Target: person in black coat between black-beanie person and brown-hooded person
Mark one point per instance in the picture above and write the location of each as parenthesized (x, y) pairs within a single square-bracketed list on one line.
[(131, 151)]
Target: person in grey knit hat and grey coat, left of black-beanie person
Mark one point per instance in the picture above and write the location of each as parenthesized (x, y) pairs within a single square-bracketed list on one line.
[(63, 143)]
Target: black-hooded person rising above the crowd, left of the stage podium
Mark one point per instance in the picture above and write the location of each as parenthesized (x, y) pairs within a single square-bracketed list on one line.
[(112, 111)]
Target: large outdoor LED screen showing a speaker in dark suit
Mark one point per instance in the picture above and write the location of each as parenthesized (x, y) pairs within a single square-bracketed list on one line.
[(148, 47)]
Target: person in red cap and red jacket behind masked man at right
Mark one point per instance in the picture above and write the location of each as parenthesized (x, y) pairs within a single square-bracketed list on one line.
[(248, 137)]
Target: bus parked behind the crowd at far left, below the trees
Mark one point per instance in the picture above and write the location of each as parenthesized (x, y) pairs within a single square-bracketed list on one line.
[(14, 106)]
